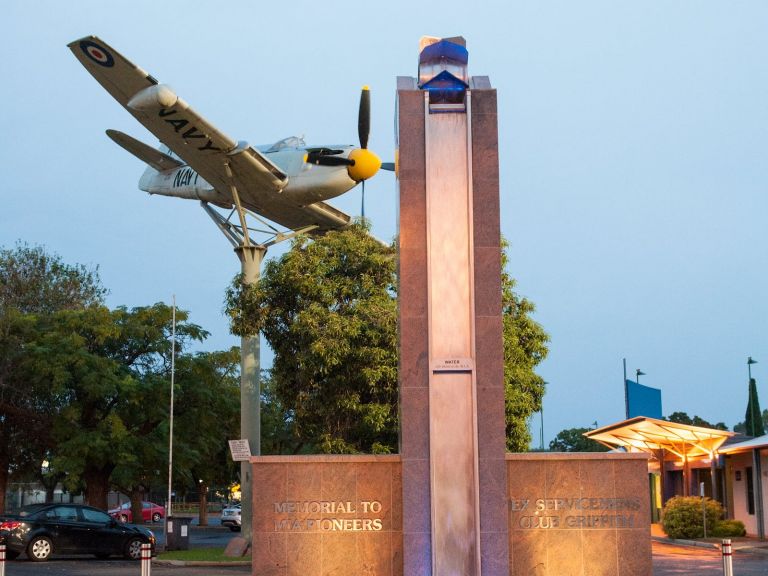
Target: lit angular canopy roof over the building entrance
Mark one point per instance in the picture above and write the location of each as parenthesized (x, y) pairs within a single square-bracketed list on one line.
[(642, 434)]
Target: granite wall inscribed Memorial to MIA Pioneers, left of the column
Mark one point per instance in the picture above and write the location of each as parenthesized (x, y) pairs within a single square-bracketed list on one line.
[(317, 515)]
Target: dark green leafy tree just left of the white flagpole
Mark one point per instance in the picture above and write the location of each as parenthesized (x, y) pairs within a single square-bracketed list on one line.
[(103, 369)]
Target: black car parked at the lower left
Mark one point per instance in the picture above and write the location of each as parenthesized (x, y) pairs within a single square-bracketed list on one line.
[(44, 529)]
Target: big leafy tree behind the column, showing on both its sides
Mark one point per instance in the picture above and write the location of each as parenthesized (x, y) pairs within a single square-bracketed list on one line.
[(328, 309)]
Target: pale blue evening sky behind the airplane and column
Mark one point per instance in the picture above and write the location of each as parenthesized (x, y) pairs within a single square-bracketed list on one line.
[(633, 145)]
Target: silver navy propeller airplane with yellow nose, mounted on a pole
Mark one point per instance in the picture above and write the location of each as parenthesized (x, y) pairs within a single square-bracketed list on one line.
[(286, 183)]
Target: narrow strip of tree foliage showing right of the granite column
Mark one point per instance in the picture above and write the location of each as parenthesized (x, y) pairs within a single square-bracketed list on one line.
[(525, 346)]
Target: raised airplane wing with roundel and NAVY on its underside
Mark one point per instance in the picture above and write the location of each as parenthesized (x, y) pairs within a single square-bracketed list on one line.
[(220, 160)]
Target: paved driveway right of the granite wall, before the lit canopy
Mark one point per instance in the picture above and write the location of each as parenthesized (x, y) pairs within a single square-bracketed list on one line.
[(669, 560)]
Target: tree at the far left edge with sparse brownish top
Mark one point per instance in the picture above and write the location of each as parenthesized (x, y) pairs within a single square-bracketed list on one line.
[(33, 282)]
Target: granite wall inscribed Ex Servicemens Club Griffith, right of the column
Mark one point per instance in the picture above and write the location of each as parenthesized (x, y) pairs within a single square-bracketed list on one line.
[(579, 513)]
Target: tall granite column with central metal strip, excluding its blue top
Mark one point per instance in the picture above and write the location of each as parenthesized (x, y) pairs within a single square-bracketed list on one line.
[(455, 519)]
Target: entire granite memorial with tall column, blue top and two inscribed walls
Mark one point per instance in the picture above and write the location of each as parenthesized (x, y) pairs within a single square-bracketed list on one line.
[(452, 503)]
